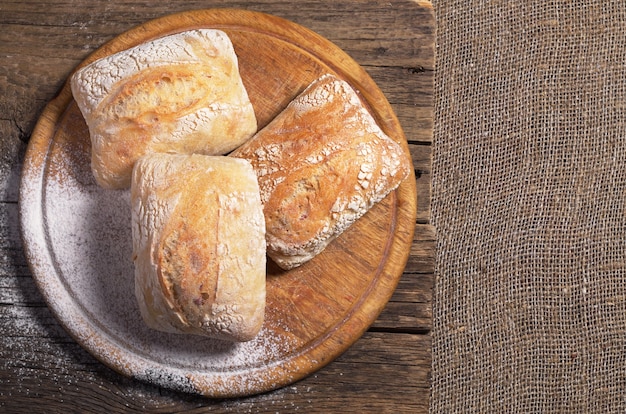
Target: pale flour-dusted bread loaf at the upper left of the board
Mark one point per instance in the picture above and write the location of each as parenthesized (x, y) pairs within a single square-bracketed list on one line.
[(177, 94)]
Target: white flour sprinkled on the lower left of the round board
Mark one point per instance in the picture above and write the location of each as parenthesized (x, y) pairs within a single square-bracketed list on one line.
[(88, 230)]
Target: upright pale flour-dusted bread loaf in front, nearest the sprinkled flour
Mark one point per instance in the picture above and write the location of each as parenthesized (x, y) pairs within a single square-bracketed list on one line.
[(199, 245)]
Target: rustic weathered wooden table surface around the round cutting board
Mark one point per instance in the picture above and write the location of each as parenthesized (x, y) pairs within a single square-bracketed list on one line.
[(43, 370)]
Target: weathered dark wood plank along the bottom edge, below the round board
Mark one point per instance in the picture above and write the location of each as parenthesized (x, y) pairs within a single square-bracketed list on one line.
[(390, 369)]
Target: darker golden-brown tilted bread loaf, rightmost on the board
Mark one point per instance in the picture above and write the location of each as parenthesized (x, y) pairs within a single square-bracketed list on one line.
[(322, 163)]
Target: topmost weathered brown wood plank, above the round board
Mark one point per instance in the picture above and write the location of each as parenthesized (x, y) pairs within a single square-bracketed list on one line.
[(393, 40)]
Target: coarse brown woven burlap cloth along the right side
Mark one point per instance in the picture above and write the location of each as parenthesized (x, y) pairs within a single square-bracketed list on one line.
[(529, 203)]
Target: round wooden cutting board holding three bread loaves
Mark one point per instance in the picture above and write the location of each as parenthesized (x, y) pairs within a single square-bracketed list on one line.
[(78, 240)]
